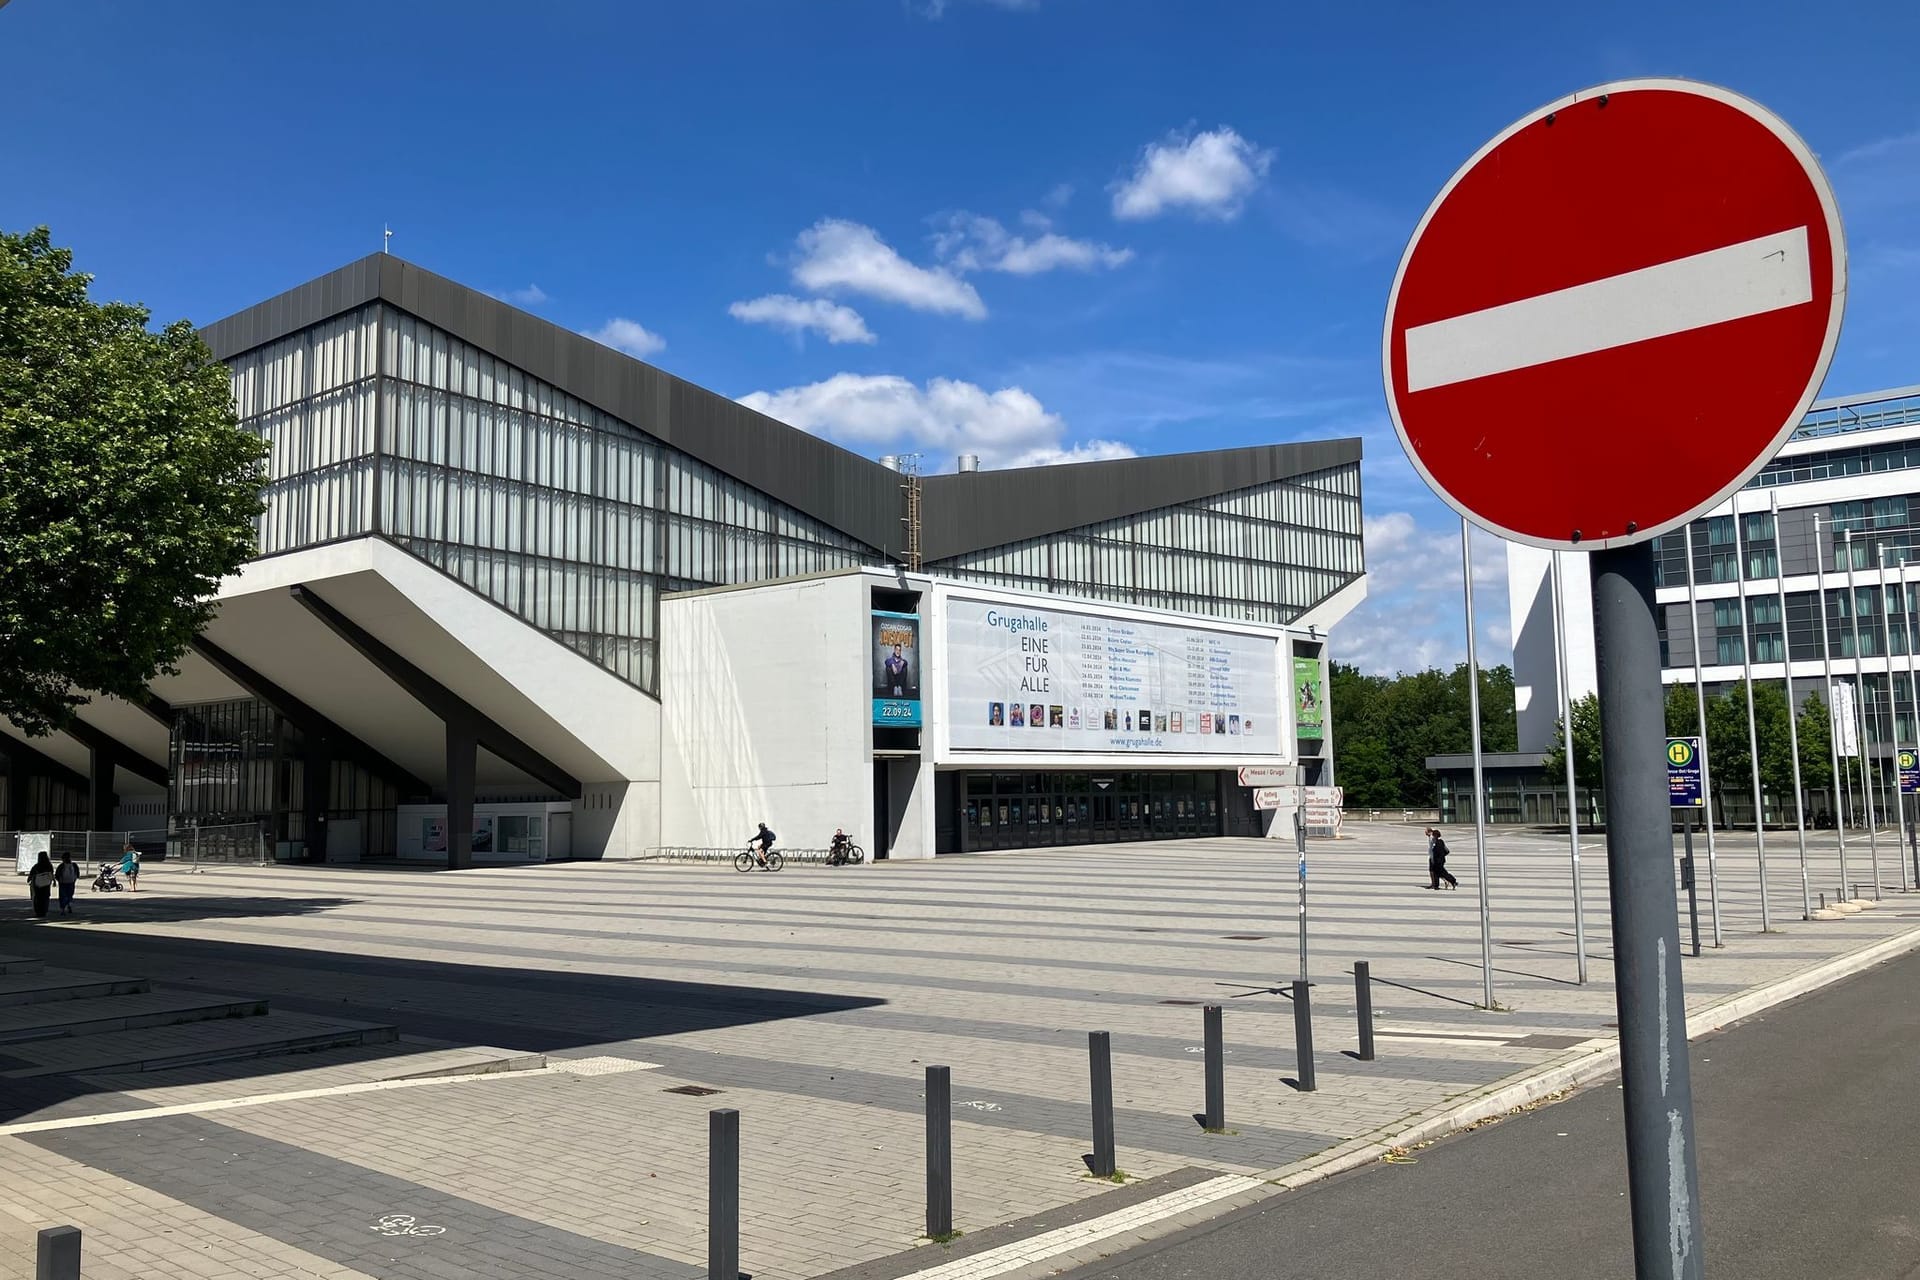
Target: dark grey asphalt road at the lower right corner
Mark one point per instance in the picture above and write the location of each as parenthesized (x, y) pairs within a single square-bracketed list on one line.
[(1810, 1141)]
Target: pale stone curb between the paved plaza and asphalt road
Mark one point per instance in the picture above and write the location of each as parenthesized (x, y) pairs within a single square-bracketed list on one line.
[(1499, 1101)]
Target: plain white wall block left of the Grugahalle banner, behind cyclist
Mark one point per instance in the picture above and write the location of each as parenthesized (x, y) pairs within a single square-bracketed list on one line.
[(767, 715)]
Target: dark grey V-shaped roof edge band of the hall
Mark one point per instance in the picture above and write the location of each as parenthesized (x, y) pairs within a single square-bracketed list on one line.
[(853, 494)]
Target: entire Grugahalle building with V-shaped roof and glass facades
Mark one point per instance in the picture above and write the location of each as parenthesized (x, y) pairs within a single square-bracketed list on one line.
[(525, 598)]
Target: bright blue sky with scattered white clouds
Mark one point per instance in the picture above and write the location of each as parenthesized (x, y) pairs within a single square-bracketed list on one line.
[(1032, 229)]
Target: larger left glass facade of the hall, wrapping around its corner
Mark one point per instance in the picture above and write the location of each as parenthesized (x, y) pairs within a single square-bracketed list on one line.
[(567, 517)]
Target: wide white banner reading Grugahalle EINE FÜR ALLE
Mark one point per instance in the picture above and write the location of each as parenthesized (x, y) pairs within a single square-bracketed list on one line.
[(1053, 680)]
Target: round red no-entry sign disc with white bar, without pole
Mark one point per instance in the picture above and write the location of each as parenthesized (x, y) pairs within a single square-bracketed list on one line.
[(1616, 314)]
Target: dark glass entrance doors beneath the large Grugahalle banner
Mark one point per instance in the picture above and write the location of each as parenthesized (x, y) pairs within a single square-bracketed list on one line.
[(1034, 811)]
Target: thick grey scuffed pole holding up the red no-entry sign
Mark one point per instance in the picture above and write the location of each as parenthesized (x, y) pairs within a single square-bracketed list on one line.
[(1662, 1166)]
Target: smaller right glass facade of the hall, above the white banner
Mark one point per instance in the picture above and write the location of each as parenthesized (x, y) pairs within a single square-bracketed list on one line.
[(1266, 554)]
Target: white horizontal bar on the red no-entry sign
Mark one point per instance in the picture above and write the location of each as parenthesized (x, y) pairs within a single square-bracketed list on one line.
[(1656, 302)]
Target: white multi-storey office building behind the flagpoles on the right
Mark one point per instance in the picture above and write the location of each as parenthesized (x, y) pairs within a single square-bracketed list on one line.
[(1835, 519)]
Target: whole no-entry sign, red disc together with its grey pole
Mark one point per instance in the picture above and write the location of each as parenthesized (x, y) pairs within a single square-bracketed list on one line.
[(1604, 327)]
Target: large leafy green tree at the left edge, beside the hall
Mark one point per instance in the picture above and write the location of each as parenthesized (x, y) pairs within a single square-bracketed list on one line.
[(130, 488)]
